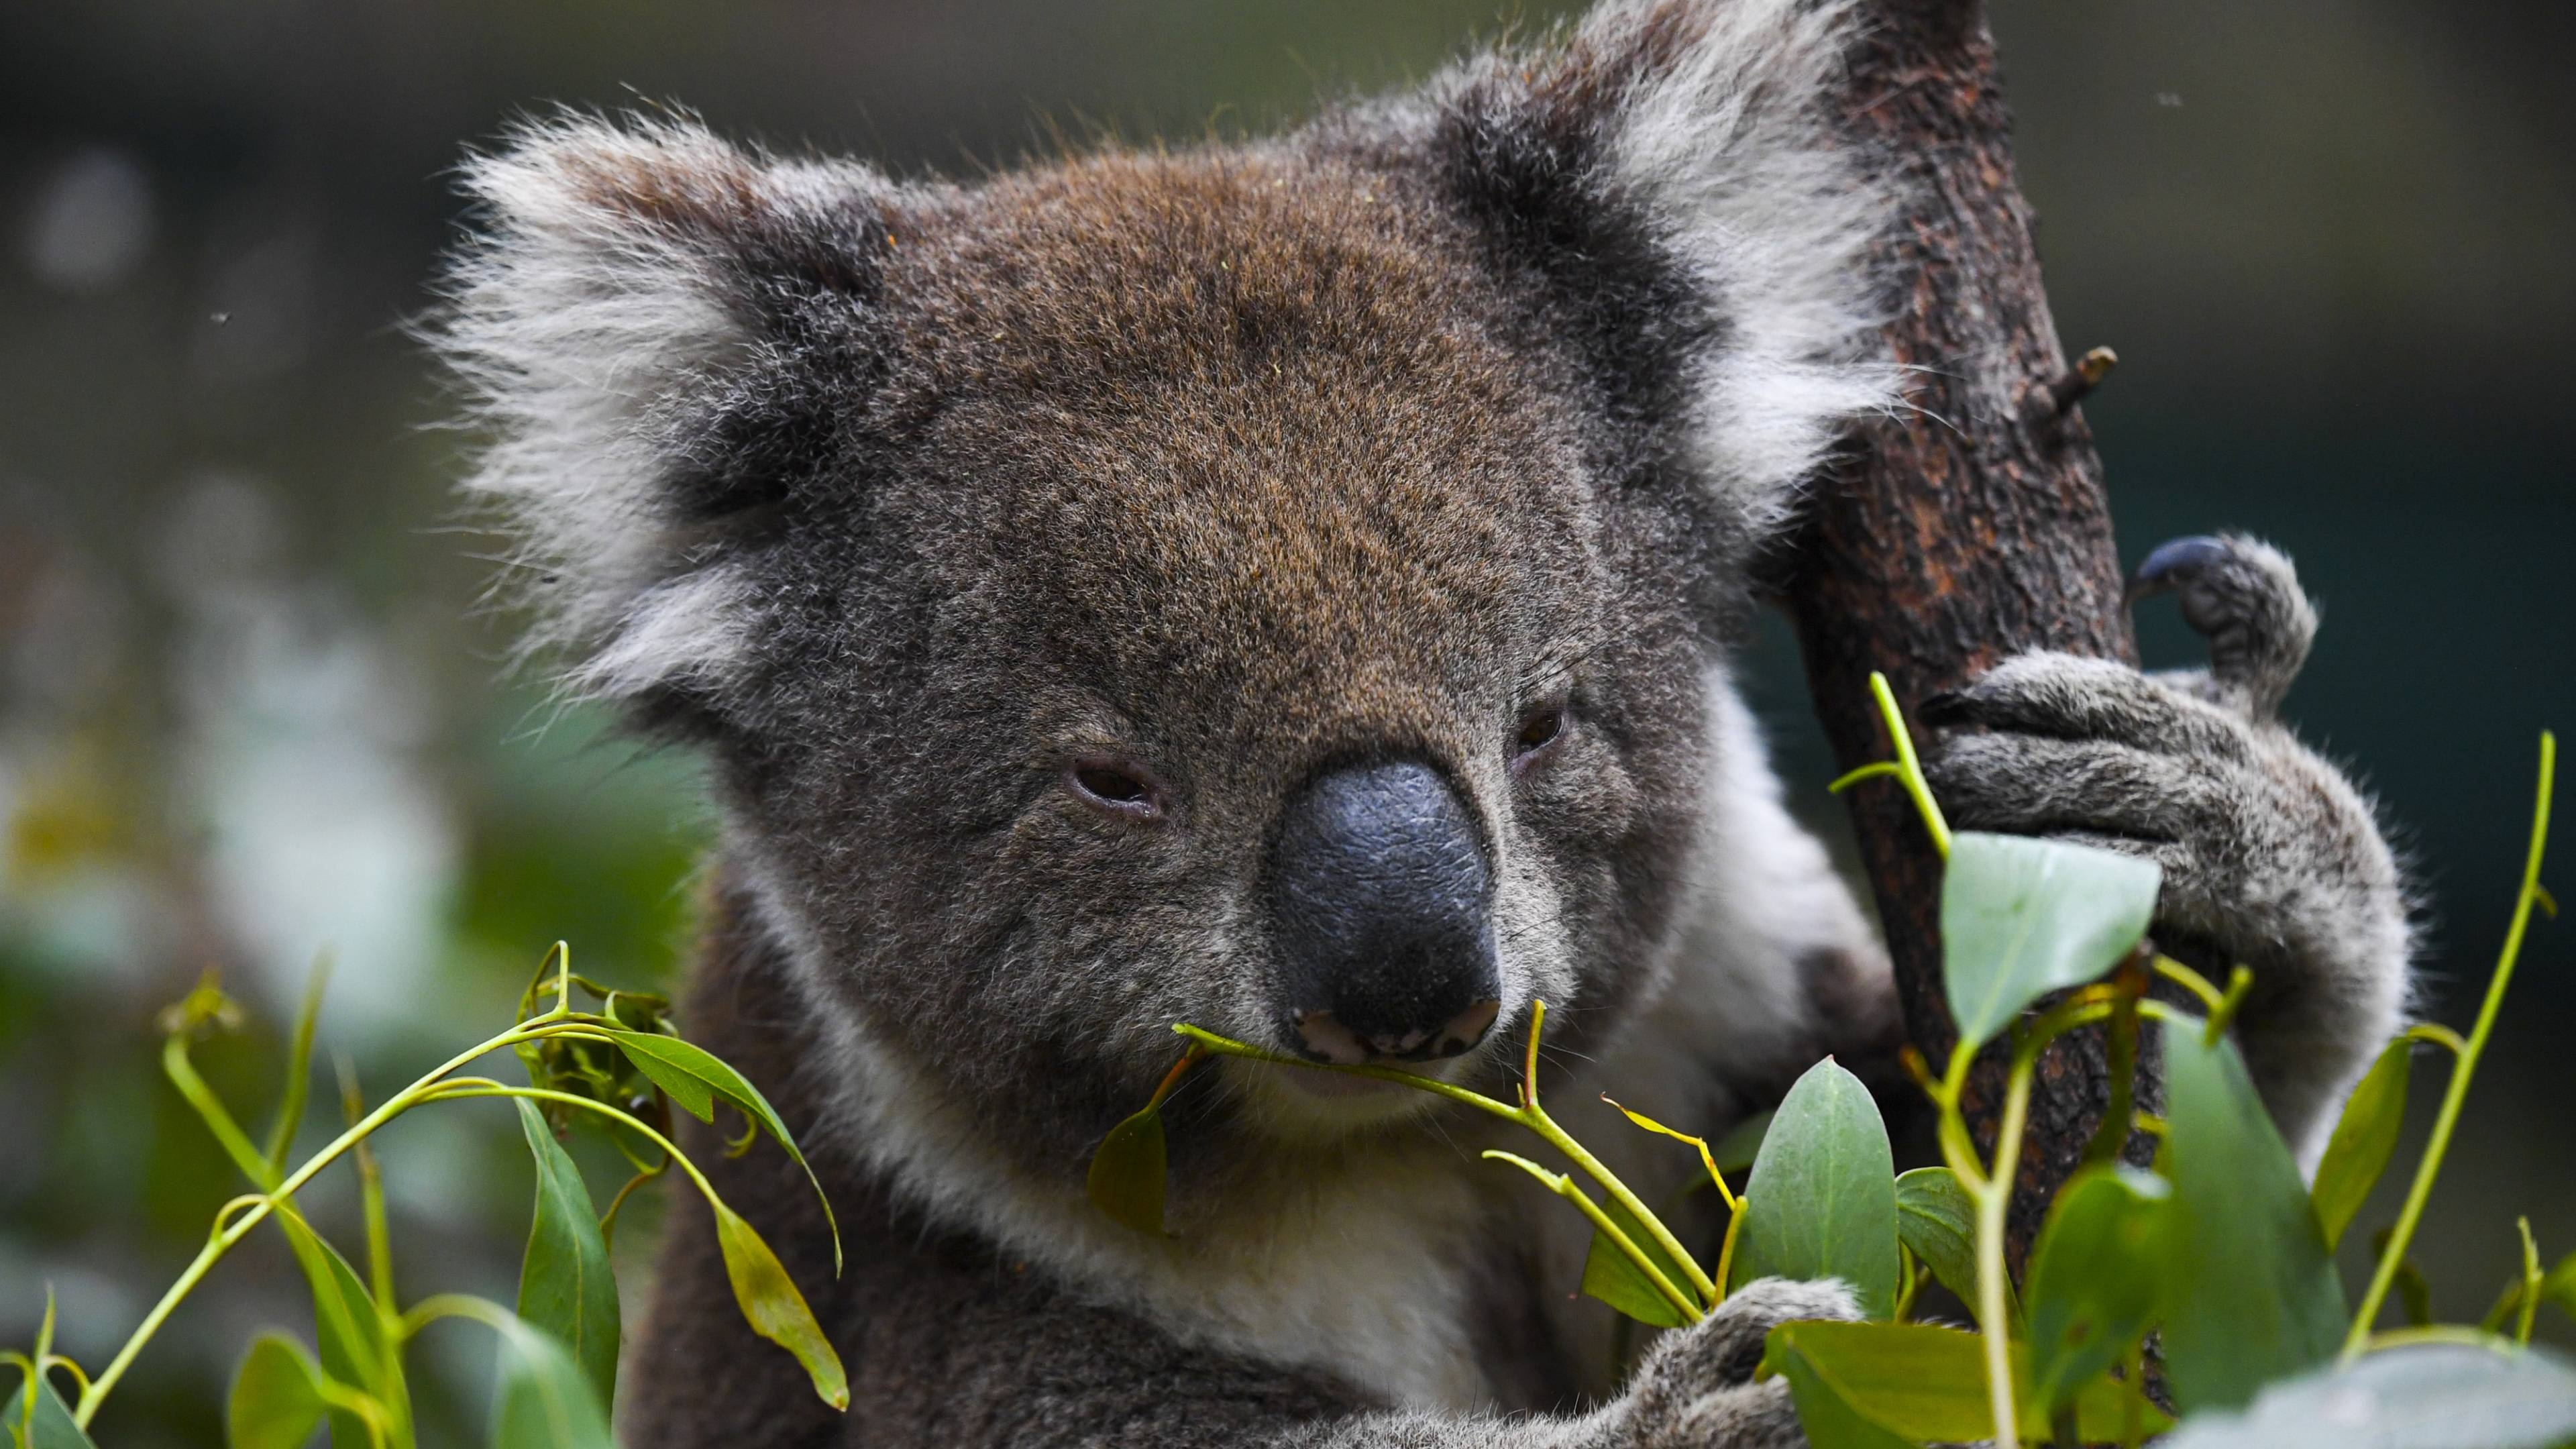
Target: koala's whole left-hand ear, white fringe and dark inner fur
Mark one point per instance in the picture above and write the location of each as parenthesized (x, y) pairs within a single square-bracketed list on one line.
[(643, 331)]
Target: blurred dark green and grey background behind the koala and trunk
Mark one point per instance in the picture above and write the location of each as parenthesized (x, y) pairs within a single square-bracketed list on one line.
[(251, 703)]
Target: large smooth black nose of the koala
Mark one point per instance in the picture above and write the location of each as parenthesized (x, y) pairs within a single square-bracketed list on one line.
[(1382, 904)]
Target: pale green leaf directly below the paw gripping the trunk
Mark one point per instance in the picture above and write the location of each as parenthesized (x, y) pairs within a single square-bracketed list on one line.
[(2021, 919)]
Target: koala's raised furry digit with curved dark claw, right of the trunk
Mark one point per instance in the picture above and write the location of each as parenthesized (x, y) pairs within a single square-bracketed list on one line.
[(2245, 599)]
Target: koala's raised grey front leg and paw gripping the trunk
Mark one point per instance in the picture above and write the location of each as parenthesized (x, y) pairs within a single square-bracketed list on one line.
[(2271, 855)]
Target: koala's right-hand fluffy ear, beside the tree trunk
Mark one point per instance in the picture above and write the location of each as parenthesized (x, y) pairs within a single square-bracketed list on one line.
[(1671, 174)]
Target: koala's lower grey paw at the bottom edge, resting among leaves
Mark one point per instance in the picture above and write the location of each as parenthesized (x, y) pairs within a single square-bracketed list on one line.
[(1696, 1388)]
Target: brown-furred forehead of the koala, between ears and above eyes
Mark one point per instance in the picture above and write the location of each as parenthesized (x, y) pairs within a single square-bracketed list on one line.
[(1240, 406)]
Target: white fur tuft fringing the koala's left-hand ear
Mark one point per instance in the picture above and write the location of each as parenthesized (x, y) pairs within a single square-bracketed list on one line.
[(581, 326)]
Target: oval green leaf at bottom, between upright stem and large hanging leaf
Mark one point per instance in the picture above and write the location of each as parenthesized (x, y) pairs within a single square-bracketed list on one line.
[(2096, 1278)]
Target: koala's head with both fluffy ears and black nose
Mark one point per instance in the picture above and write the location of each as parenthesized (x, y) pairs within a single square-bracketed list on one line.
[(1264, 587)]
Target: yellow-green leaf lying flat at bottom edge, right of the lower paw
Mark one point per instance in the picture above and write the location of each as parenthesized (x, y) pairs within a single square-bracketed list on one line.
[(1926, 1383)]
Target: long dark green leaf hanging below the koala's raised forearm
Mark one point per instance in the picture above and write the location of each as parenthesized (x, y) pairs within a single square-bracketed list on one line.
[(2253, 1296)]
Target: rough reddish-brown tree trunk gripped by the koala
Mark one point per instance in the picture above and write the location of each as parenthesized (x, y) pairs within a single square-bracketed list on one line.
[(1967, 530)]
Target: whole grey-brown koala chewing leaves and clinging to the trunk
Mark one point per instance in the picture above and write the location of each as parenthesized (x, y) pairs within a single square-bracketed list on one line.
[(1294, 589)]
